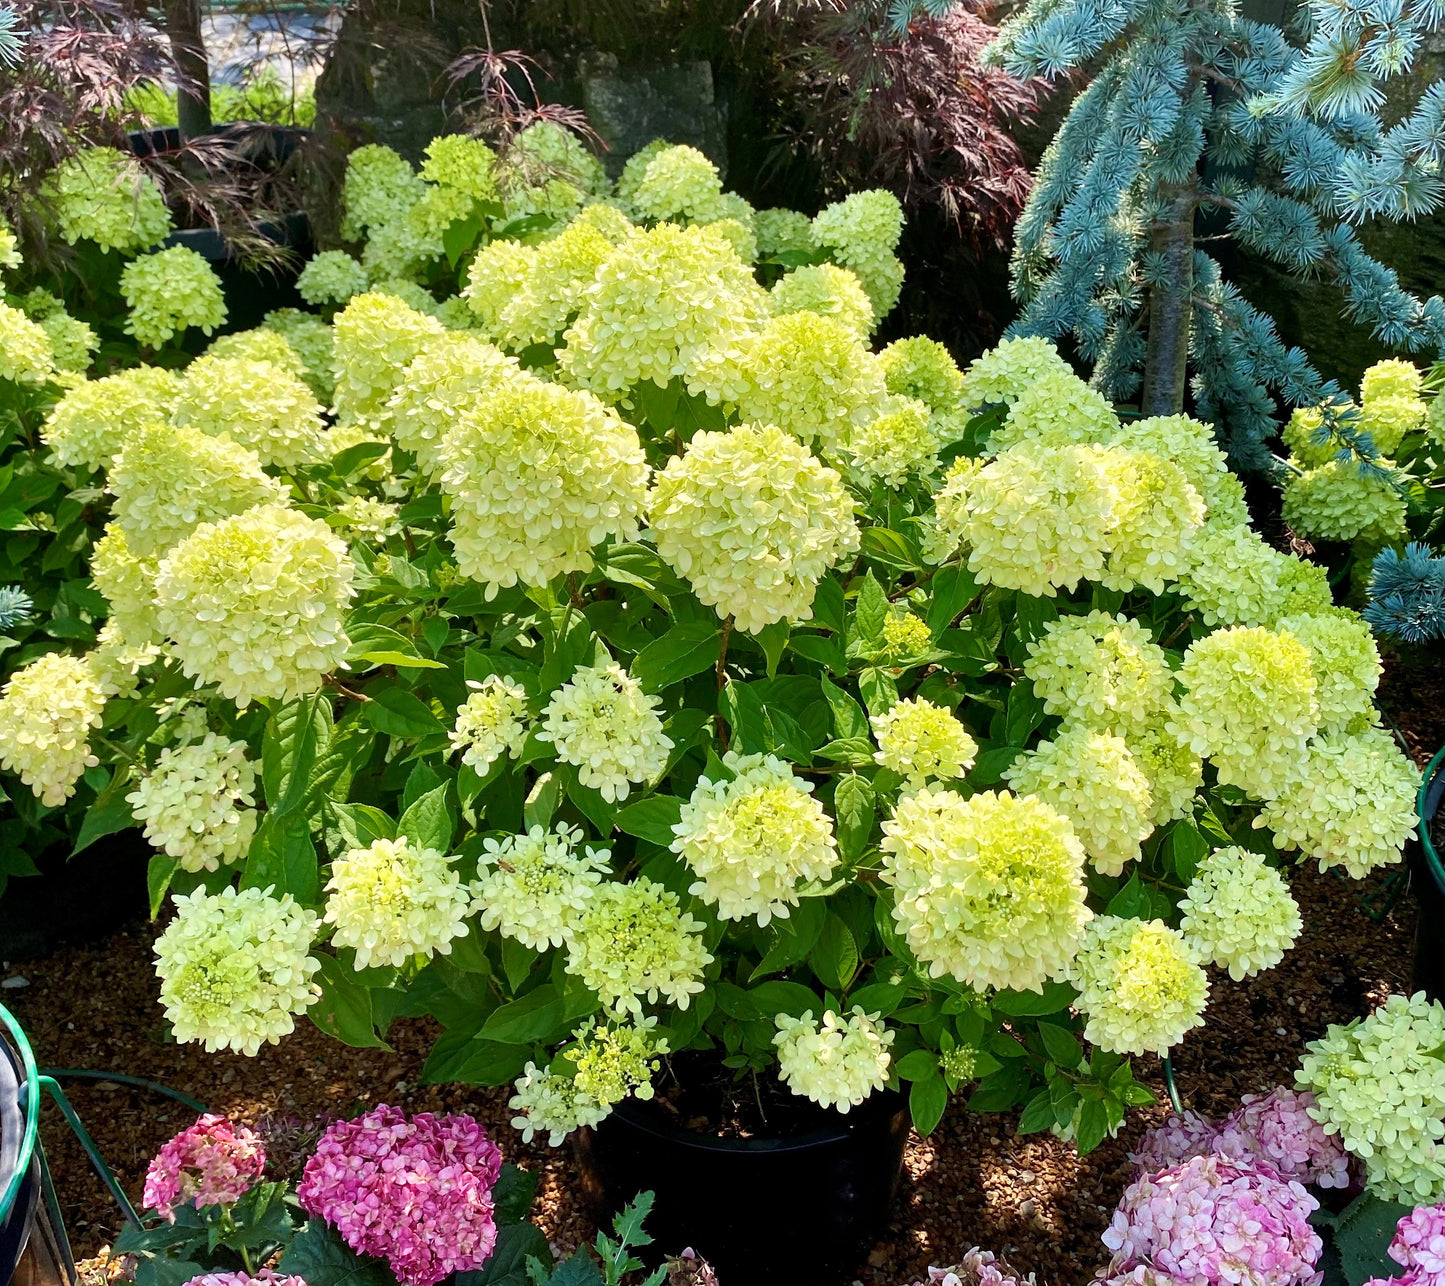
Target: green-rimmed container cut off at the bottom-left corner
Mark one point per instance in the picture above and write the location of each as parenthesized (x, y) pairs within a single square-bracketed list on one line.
[(34, 1248)]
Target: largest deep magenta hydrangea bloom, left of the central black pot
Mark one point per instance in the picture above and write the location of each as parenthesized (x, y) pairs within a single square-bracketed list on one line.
[(415, 1193)]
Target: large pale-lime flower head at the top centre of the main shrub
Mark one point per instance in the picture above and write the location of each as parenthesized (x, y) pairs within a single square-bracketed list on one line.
[(668, 304)]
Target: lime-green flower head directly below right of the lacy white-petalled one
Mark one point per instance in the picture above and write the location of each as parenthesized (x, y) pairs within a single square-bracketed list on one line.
[(635, 941)]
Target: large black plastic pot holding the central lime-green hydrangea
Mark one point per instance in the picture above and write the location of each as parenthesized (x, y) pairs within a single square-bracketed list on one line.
[(761, 1212)]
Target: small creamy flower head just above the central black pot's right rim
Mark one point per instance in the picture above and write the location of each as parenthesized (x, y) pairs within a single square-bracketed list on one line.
[(836, 1064)]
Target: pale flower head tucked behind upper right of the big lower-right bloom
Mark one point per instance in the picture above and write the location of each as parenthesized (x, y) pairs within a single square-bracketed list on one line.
[(1092, 778)]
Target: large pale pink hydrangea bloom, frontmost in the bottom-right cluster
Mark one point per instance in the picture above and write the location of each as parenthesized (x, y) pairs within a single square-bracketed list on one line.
[(1212, 1222)]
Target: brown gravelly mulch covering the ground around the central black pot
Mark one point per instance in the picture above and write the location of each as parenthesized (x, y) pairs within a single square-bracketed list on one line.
[(972, 1183)]
